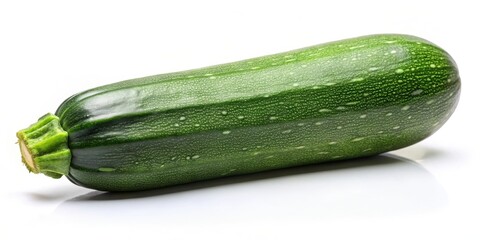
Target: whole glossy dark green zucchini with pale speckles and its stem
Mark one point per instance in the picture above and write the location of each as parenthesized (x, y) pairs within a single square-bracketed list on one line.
[(339, 100)]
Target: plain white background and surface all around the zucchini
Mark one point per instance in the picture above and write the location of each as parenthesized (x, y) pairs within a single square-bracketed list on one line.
[(50, 50)]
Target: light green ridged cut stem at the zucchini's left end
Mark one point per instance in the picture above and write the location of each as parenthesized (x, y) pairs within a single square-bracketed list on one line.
[(44, 147)]
